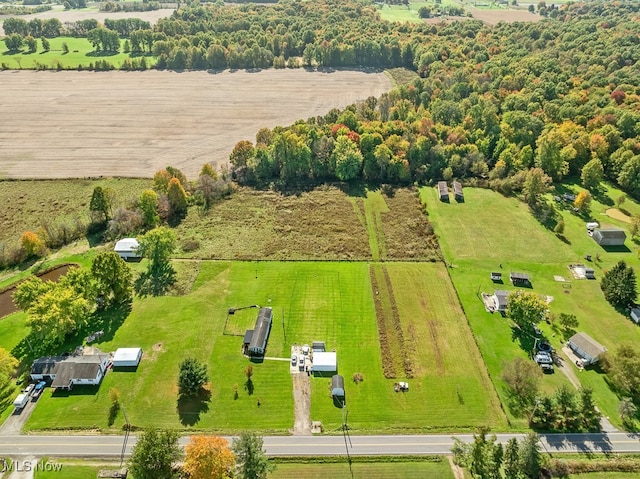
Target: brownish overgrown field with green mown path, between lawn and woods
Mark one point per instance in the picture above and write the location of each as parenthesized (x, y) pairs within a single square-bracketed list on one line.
[(323, 224)]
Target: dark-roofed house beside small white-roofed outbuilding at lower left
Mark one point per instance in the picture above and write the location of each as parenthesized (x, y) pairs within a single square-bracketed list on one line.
[(64, 372)]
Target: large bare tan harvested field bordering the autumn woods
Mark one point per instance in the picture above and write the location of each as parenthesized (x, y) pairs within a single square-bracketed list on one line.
[(131, 124)]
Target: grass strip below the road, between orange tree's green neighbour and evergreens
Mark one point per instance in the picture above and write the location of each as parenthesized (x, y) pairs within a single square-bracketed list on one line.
[(391, 470)]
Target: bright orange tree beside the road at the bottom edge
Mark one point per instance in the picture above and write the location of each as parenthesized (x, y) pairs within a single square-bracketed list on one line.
[(208, 457)]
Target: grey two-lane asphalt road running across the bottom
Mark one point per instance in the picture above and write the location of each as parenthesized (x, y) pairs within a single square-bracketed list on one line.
[(111, 446)]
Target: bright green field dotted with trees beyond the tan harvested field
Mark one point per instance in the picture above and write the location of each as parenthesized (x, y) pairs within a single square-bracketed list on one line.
[(81, 53)]
